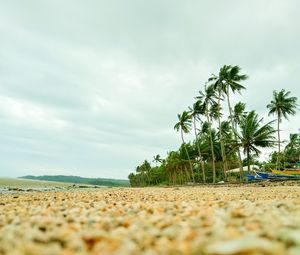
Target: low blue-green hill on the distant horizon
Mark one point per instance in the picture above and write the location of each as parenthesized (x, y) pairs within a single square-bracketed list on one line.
[(79, 179)]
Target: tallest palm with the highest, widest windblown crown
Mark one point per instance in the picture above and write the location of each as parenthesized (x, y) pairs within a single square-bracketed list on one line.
[(229, 79)]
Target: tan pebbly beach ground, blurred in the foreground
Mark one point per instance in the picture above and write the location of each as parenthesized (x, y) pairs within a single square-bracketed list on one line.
[(181, 220)]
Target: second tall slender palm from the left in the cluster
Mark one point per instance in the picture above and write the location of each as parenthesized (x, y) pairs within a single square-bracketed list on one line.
[(195, 113)]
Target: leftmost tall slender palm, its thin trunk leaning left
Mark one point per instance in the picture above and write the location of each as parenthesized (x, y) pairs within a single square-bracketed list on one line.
[(184, 125)]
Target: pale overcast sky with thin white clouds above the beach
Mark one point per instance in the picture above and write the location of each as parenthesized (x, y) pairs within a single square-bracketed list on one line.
[(92, 88)]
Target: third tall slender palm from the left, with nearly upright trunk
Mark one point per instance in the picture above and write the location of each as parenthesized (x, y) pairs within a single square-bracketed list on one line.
[(208, 99)]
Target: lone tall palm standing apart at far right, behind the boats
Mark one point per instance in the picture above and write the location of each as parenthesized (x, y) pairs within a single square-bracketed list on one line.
[(282, 105)]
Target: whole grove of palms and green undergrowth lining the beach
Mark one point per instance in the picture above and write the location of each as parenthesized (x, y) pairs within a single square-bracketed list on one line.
[(219, 139)]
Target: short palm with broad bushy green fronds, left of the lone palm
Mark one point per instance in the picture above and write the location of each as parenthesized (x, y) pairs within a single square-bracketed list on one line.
[(254, 135)]
